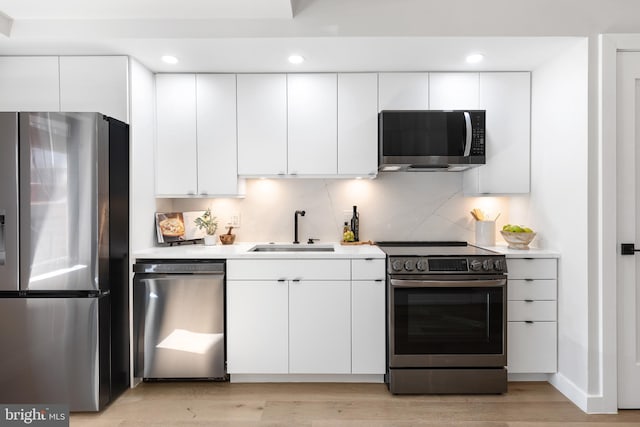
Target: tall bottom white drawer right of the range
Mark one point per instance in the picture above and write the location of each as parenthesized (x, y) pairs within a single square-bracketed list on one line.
[(532, 347)]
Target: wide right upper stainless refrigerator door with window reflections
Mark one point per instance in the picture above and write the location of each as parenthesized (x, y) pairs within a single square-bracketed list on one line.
[(63, 201)]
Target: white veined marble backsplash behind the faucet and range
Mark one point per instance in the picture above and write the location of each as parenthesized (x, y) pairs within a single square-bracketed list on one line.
[(395, 206)]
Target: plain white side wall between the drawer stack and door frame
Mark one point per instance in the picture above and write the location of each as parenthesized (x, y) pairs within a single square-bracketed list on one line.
[(558, 202)]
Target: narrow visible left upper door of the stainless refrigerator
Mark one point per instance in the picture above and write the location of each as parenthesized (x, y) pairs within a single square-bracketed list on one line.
[(8, 201)]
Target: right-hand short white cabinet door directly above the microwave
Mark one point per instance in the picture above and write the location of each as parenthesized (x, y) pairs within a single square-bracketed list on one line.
[(453, 91)]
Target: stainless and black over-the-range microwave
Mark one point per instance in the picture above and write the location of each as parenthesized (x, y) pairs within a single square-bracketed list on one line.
[(431, 140)]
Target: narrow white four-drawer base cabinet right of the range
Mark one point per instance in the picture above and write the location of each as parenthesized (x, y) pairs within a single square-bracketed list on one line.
[(532, 332)]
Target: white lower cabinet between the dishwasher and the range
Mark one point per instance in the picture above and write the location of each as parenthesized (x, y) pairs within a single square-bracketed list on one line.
[(305, 317)]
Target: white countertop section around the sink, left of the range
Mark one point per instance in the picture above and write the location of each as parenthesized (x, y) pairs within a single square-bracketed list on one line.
[(241, 250)]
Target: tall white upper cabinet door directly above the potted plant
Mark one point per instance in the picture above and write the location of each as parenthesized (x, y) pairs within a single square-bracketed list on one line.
[(216, 134)]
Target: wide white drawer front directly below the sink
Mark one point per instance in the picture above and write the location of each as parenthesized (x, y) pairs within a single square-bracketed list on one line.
[(302, 269)]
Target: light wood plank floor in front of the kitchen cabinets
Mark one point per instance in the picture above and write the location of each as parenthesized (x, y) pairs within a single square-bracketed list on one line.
[(527, 404)]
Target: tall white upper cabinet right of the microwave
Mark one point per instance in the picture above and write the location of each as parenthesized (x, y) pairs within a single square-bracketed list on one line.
[(507, 99)]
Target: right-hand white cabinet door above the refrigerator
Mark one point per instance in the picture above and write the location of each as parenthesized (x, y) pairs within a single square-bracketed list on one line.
[(95, 83)]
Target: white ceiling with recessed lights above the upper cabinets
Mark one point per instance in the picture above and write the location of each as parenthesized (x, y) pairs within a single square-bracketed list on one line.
[(332, 35)]
